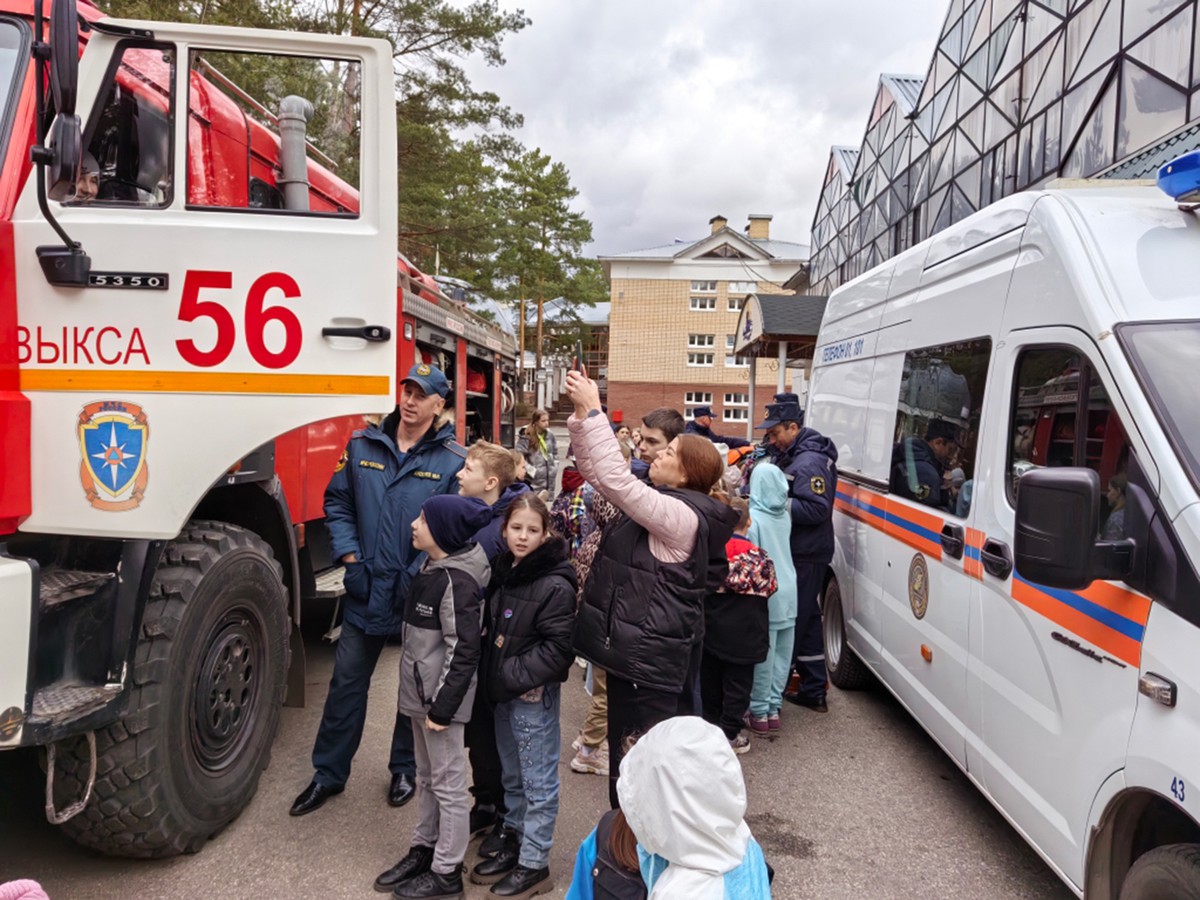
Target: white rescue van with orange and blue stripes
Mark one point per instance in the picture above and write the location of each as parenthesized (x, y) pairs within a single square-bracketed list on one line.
[(1016, 405)]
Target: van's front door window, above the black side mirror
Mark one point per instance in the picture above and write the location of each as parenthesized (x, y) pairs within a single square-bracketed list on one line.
[(1063, 417)]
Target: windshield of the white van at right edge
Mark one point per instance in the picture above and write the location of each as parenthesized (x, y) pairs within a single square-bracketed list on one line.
[(1167, 358)]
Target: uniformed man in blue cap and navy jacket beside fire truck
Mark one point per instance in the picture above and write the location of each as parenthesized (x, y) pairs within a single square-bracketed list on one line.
[(386, 475)]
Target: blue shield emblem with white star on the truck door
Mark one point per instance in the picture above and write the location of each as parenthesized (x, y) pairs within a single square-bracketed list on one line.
[(113, 439)]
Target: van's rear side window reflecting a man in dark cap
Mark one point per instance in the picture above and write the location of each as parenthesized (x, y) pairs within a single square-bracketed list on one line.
[(938, 425)]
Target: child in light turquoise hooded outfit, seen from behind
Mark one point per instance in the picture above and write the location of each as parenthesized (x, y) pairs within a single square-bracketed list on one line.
[(771, 529)]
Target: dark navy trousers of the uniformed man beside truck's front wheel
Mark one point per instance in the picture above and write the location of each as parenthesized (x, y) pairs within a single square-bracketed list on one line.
[(346, 712)]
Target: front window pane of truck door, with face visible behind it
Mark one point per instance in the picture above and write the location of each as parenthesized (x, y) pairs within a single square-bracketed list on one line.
[(128, 158)]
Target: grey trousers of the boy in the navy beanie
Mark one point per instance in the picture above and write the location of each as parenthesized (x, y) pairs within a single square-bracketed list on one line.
[(443, 802)]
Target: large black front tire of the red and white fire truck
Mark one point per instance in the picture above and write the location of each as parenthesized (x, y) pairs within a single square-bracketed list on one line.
[(209, 680)]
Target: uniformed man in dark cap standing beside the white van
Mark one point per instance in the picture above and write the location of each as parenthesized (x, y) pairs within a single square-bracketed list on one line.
[(809, 463)]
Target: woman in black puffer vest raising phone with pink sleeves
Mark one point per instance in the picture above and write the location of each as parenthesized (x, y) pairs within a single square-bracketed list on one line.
[(643, 611)]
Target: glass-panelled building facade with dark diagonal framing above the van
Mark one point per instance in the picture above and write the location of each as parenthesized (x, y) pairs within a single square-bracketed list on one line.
[(1019, 93)]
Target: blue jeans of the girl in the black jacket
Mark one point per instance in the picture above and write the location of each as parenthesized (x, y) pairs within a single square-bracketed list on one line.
[(529, 737)]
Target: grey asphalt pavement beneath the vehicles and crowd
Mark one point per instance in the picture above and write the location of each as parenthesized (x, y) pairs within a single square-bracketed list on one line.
[(859, 803)]
